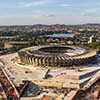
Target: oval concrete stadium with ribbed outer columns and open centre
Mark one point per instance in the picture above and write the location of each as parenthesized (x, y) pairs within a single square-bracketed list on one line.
[(56, 55)]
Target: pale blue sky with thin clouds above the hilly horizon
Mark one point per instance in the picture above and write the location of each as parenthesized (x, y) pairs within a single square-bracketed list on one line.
[(28, 12)]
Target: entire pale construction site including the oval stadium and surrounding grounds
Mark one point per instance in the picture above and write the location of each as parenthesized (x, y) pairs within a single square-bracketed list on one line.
[(50, 73)]
